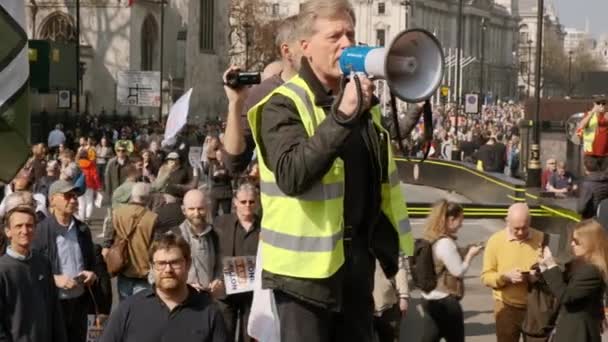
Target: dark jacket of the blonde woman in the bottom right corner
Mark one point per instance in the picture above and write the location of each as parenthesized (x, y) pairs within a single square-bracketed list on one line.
[(579, 291)]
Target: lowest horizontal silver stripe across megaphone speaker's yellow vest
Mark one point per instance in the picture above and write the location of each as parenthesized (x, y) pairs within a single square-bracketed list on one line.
[(300, 243)]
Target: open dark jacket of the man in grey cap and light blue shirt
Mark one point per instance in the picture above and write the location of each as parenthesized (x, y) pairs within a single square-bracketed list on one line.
[(45, 243)]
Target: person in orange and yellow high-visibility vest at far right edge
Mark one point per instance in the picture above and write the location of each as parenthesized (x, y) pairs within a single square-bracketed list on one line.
[(594, 130)]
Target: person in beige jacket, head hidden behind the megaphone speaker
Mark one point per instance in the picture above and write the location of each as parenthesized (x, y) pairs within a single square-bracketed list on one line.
[(391, 301)]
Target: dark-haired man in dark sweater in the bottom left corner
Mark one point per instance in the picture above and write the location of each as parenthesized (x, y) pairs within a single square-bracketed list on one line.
[(29, 306)]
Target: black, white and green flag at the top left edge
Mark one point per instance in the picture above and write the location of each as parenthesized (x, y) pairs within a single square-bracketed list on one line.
[(14, 89)]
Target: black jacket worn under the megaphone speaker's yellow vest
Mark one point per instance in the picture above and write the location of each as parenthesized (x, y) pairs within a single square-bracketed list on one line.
[(299, 161)]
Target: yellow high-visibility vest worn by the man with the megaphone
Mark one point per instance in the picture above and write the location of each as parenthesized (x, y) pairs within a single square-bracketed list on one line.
[(302, 236)]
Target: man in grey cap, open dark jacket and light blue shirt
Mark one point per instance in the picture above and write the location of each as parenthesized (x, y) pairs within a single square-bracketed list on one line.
[(68, 245)]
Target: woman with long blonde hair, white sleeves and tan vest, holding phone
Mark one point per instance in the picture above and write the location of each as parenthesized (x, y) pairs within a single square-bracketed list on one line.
[(444, 317)]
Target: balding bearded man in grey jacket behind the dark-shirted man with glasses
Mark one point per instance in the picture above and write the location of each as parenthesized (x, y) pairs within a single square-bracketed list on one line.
[(205, 272)]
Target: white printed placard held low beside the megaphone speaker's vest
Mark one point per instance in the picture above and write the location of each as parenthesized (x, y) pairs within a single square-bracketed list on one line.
[(239, 274)]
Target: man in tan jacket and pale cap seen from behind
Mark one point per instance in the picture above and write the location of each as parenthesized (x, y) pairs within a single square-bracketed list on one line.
[(135, 222)]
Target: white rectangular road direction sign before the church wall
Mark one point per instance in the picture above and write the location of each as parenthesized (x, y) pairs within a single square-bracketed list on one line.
[(138, 88)]
